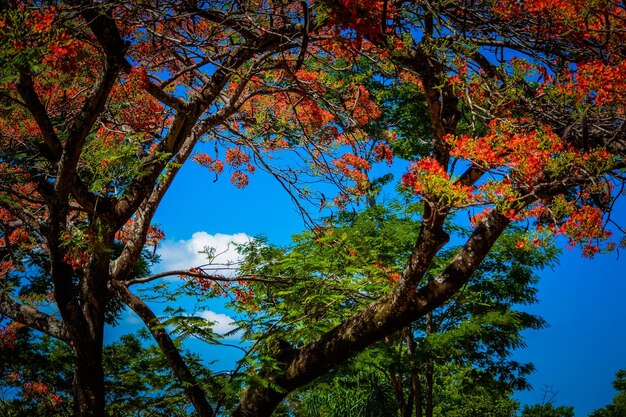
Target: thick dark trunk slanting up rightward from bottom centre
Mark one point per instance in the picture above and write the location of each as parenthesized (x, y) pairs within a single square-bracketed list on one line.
[(383, 317)]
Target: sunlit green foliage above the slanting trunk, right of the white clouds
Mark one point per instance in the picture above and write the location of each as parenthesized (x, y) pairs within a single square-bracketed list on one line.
[(327, 274)]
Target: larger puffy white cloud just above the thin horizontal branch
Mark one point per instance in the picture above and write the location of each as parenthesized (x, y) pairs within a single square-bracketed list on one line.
[(186, 254)]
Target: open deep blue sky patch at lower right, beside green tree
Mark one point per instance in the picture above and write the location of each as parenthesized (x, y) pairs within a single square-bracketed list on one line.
[(578, 355)]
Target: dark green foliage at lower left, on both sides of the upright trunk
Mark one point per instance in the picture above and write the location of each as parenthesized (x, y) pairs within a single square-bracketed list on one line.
[(138, 380)]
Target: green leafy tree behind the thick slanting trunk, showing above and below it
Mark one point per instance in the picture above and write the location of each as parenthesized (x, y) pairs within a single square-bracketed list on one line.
[(329, 274)]
